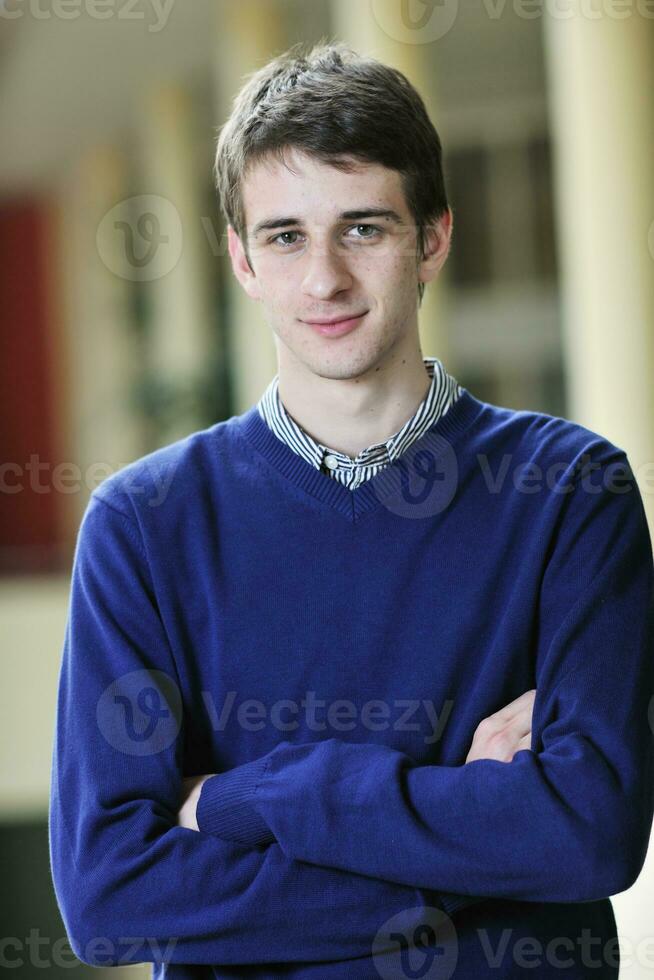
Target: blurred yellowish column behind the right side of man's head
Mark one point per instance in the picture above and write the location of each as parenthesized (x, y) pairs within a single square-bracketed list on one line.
[(382, 29)]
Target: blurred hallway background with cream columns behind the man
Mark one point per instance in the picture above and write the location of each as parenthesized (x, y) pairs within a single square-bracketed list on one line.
[(122, 327)]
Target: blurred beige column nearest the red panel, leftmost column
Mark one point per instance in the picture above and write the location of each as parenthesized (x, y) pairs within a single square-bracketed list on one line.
[(102, 369)]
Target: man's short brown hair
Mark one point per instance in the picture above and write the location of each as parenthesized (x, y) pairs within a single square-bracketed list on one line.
[(333, 103)]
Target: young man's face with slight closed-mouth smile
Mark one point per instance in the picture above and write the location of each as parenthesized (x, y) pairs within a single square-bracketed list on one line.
[(324, 254)]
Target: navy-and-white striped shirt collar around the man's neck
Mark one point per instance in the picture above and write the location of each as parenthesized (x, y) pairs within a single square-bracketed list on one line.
[(443, 392)]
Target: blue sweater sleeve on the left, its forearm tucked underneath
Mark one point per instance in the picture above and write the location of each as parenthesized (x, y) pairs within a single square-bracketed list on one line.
[(132, 885)]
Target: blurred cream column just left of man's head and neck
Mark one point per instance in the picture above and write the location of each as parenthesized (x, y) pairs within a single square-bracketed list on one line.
[(249, 33)]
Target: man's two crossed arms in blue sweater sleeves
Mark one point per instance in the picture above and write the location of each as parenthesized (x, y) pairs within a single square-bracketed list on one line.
[(568, 821)]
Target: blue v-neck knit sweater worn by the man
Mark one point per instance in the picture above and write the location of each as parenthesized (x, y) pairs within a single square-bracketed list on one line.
[(328, 654)]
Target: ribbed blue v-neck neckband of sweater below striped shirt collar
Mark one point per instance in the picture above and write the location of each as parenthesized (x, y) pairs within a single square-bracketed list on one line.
[(353, 504)]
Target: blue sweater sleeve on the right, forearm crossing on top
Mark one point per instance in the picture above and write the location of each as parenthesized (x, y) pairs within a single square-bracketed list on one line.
[(567, 820)]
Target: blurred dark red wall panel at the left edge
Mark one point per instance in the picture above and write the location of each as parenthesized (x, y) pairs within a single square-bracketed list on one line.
[(30, 507)]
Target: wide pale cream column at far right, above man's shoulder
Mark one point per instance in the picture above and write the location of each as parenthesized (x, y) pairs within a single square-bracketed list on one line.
[(601, 80)]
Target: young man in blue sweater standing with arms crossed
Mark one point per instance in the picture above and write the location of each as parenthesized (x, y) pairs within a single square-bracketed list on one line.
[(282, 676)]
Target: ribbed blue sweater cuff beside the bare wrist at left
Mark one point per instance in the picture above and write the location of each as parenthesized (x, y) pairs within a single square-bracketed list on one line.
[(225, 807)]
